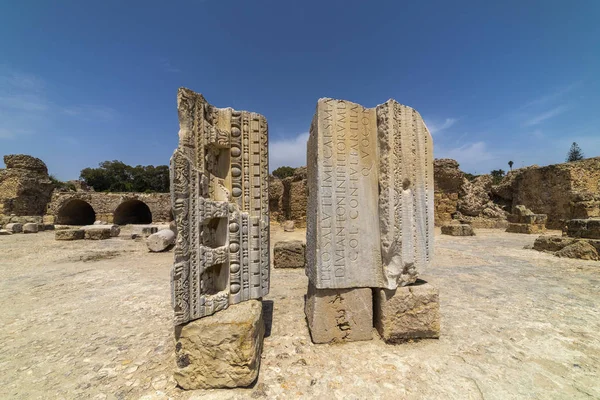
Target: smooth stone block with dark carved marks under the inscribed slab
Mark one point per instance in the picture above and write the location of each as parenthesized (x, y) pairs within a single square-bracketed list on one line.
[(339, 315)]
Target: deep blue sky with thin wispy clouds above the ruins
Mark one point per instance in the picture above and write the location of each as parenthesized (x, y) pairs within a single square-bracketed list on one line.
[(82, 82)]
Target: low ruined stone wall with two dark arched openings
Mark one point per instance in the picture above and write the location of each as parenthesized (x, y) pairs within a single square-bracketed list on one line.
[(105, 204)]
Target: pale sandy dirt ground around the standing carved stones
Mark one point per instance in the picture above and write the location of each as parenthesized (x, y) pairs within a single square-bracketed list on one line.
[(93, 320)]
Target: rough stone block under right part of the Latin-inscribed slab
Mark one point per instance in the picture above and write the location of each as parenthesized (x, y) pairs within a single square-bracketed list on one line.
[(409, 312)]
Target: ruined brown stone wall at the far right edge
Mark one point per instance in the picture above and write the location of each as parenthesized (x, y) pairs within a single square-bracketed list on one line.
[(562, 191)]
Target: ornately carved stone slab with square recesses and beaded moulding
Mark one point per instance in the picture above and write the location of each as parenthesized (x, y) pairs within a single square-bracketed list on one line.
[(219, 190)]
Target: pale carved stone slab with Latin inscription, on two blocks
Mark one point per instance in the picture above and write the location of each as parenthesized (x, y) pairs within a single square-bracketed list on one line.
[(370, 178)]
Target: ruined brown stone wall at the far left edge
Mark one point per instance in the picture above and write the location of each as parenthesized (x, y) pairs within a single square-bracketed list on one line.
[(25, 187)]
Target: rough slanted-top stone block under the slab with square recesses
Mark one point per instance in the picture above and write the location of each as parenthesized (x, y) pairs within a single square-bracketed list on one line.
[(222, 350)]
